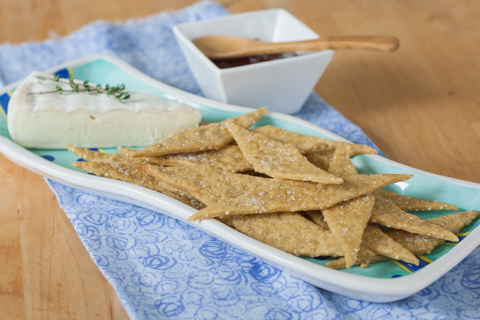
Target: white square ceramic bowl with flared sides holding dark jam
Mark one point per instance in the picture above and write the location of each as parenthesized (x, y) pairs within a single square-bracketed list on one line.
[(282, 85)]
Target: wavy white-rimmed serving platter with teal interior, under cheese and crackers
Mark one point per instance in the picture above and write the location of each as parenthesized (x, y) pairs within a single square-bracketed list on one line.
[(379, 283)]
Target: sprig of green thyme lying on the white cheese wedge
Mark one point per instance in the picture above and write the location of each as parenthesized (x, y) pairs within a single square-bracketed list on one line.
[(118, 92)]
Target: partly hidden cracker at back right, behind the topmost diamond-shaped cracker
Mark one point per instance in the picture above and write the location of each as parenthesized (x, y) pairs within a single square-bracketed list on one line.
[(309, 143)]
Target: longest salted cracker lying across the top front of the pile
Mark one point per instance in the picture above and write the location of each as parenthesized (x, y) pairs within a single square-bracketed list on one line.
[(276, 195)]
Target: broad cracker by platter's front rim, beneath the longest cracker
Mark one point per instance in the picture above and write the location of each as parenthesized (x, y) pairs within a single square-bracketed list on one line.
[(287, 231)]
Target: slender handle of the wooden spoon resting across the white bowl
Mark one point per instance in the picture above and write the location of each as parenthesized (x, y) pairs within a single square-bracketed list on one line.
[(381, 43)]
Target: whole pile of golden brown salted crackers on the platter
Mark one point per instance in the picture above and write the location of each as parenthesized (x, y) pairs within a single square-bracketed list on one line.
[(300, 194)]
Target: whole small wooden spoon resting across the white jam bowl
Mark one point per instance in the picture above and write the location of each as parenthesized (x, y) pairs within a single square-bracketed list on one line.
[(225, 47)]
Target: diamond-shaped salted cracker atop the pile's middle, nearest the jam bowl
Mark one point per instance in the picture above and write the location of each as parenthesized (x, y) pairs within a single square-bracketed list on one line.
[(277, 159)]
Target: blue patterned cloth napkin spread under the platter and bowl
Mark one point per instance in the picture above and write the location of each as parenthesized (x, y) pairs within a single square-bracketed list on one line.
[(163, 268)]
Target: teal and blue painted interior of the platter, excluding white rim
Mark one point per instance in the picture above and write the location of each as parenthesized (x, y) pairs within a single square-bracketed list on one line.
[(421, 185)]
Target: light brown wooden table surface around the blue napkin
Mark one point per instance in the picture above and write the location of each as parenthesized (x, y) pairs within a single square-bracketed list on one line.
[(420, 105)]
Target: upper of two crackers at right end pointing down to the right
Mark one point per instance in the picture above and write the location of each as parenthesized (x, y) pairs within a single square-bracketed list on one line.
[(387, 214)]
